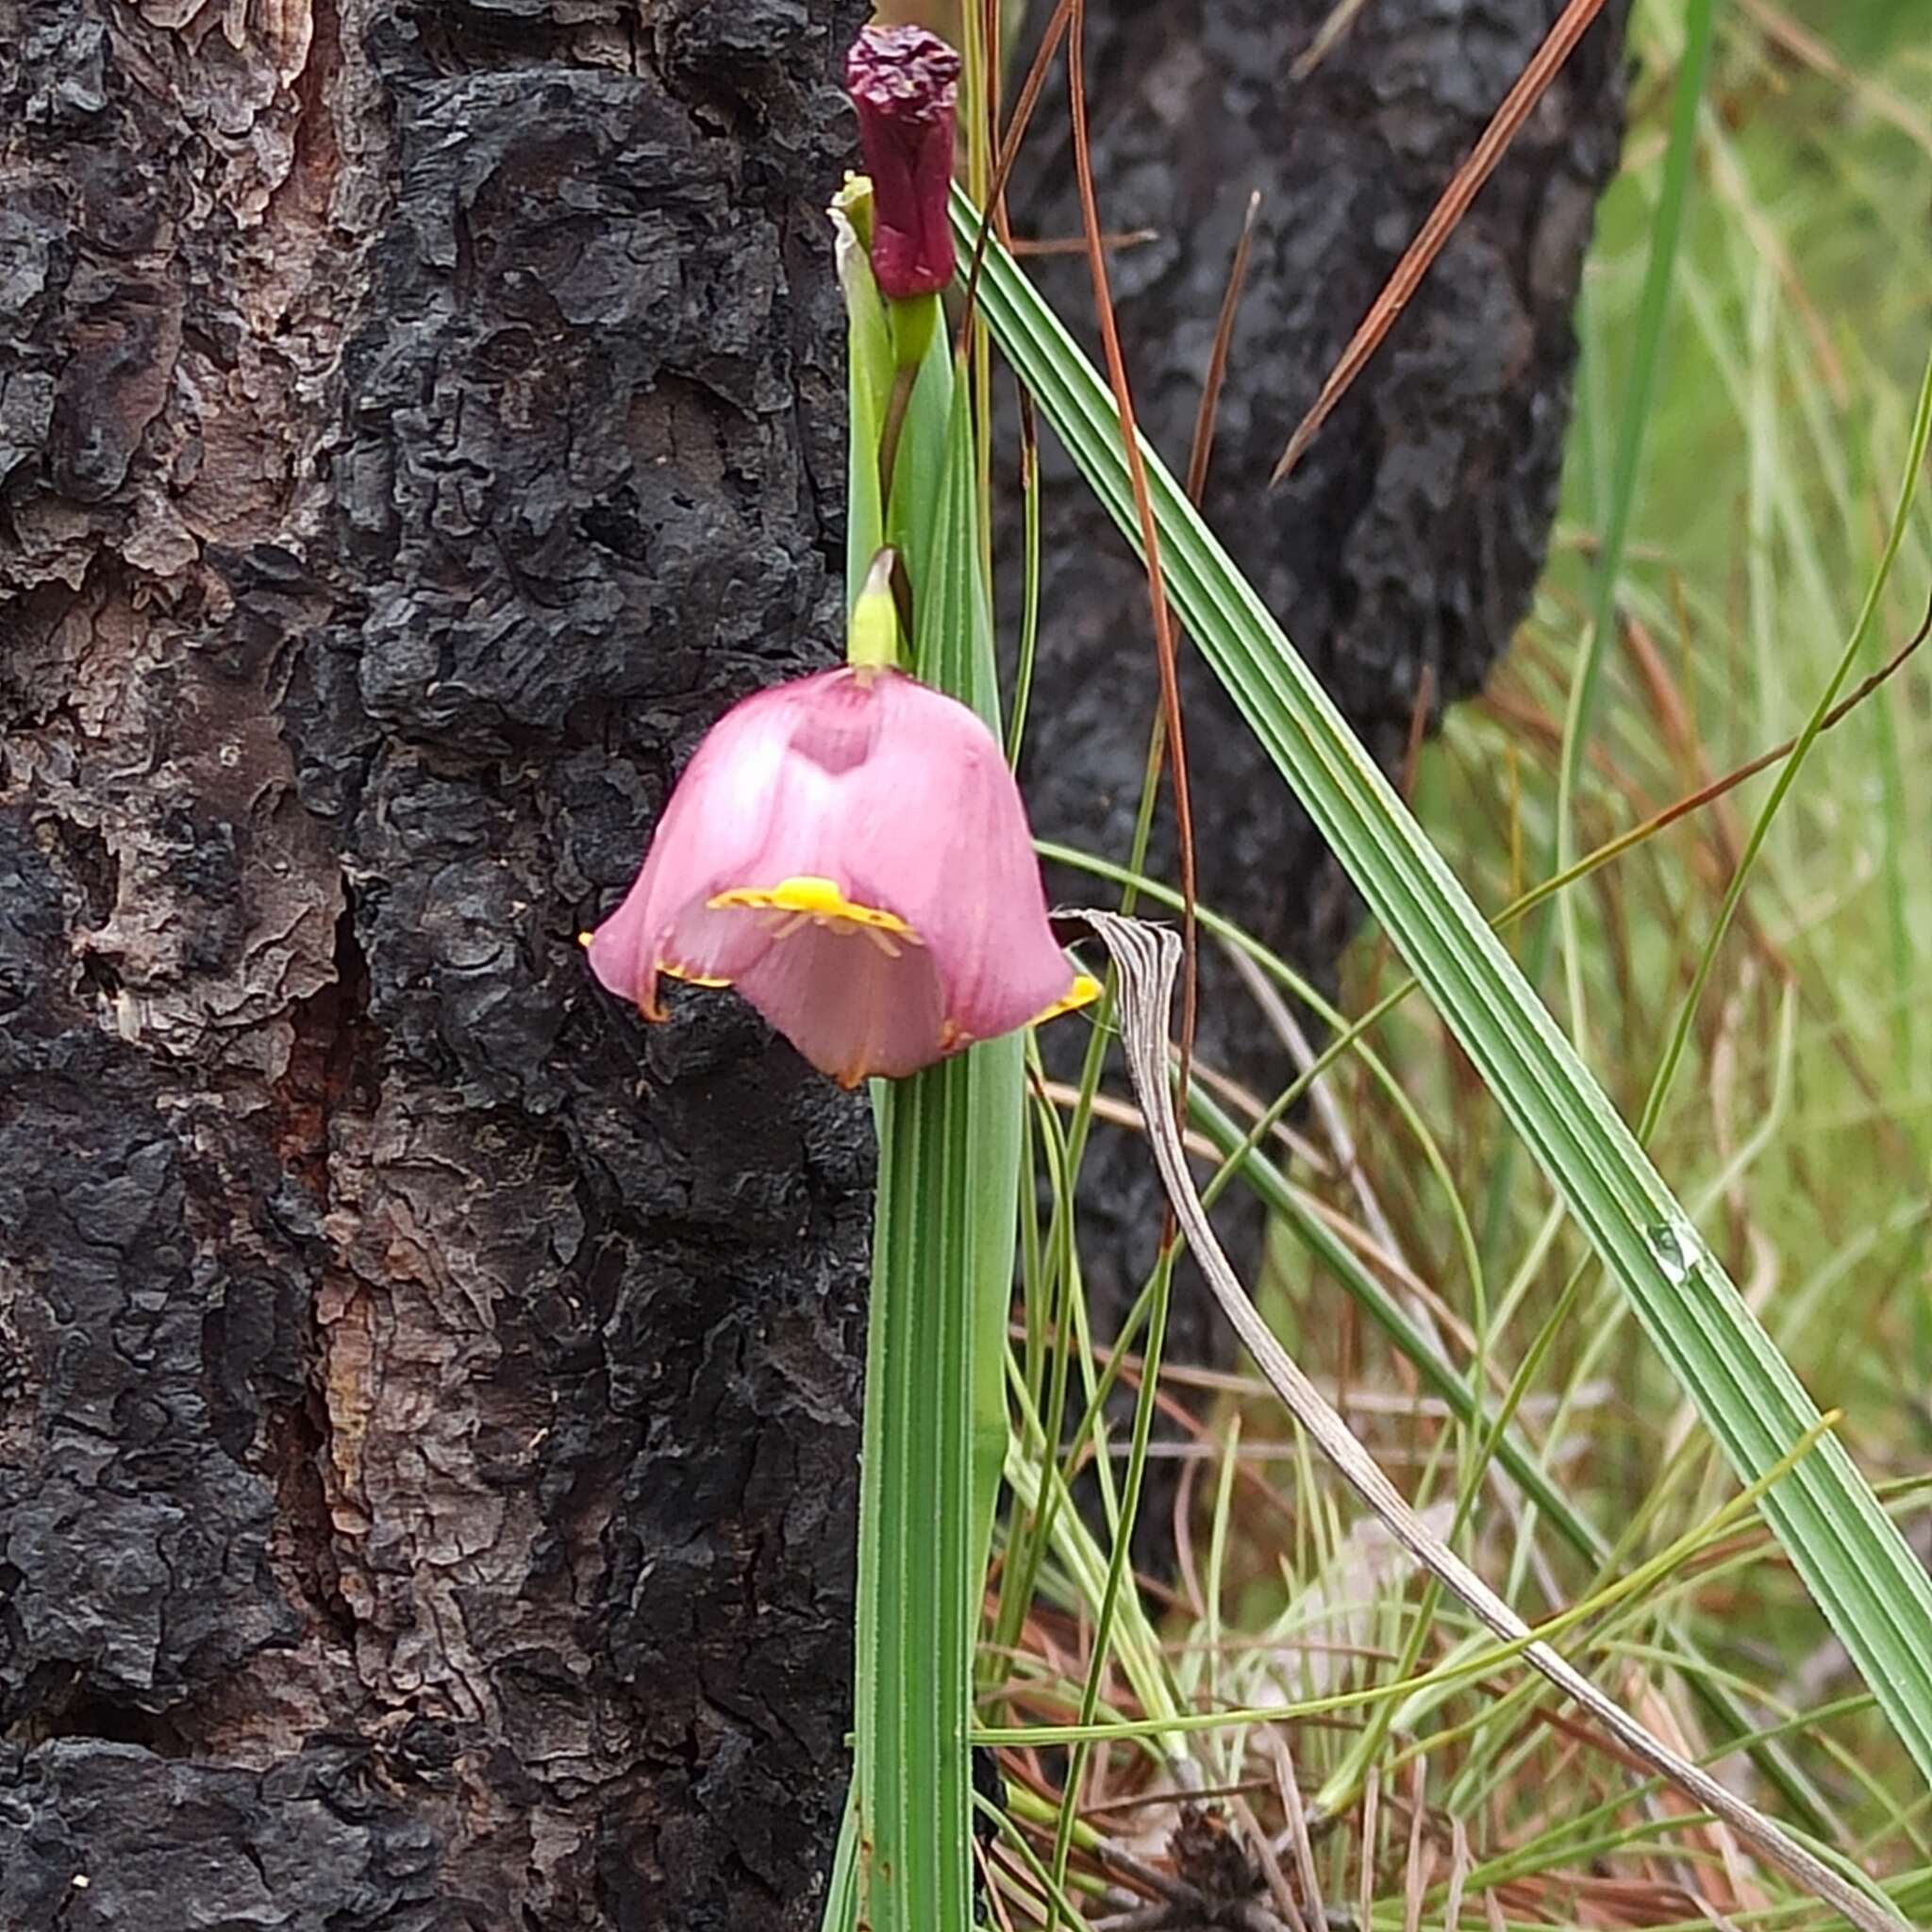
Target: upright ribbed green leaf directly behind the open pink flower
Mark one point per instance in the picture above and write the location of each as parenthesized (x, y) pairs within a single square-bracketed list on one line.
[(944, 1243)]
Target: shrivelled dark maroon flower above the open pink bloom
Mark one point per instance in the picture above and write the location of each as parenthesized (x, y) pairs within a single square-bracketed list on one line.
[(905, 84)]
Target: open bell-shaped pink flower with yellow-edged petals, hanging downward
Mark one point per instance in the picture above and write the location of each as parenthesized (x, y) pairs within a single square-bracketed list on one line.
[(851, 853)]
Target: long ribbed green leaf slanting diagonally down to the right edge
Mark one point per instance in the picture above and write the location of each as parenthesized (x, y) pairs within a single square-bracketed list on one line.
[(1854, 1560)]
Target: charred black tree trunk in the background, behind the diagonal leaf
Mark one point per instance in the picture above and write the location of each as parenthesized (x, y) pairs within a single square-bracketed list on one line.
[(1406, 548)]
